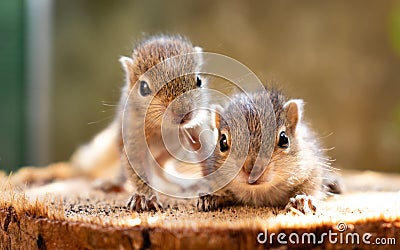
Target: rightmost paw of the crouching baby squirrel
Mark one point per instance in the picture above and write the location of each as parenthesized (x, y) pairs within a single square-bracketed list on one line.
[(301, 204)]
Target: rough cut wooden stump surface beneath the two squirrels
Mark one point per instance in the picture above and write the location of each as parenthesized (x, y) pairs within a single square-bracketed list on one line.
[(75, 216)]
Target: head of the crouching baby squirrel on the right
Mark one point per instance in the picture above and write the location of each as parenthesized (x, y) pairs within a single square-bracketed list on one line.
[(277, 125)]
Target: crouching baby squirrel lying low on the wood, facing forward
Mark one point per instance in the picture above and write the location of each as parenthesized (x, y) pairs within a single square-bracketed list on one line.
[(297, 165)]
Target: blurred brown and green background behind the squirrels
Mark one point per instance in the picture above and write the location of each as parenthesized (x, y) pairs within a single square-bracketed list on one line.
[(60, 76)]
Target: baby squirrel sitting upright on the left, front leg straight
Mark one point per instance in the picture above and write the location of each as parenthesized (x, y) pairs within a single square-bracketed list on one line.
[(159, 84)]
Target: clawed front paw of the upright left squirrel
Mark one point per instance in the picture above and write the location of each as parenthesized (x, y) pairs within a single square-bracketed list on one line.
[(139, 202)]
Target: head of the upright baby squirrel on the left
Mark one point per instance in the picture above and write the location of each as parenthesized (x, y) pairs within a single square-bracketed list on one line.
[(161, 76)]
